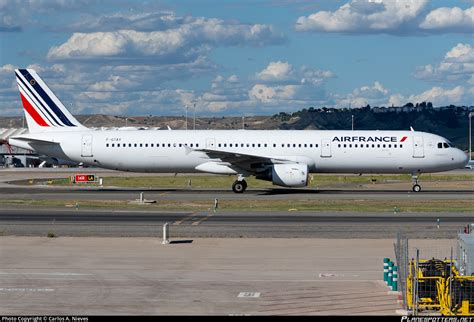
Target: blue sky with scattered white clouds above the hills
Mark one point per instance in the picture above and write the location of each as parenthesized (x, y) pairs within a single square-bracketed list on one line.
[(247, 57)]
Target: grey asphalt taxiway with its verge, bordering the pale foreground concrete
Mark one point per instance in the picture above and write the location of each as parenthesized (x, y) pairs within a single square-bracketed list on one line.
[(39, 221)]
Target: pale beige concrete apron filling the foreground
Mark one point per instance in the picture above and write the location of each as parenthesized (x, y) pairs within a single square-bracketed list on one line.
[(204, 276)]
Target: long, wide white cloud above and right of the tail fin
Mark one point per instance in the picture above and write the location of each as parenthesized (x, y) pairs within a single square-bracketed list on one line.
[(184, 42)]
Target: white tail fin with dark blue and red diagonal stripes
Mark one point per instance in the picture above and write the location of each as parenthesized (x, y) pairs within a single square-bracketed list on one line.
[(43, 110)]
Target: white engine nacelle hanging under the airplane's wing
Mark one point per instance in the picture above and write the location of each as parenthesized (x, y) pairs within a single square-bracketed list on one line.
[(287, 175)]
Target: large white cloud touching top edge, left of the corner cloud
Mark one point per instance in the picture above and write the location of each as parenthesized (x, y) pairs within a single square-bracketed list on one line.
[(360, 16)]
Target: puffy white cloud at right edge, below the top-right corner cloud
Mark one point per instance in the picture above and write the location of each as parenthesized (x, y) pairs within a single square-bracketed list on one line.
[(457, 66)]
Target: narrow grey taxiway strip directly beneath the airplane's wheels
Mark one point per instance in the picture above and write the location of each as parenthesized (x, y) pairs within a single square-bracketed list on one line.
[(96, 193)]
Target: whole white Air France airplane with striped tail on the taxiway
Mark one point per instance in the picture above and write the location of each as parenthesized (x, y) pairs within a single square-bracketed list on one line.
[(284, 157)]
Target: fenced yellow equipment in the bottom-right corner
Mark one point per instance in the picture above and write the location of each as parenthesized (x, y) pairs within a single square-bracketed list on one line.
[(433, 284)]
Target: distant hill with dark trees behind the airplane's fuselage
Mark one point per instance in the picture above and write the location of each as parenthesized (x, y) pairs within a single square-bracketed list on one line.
[(450, 121)]
